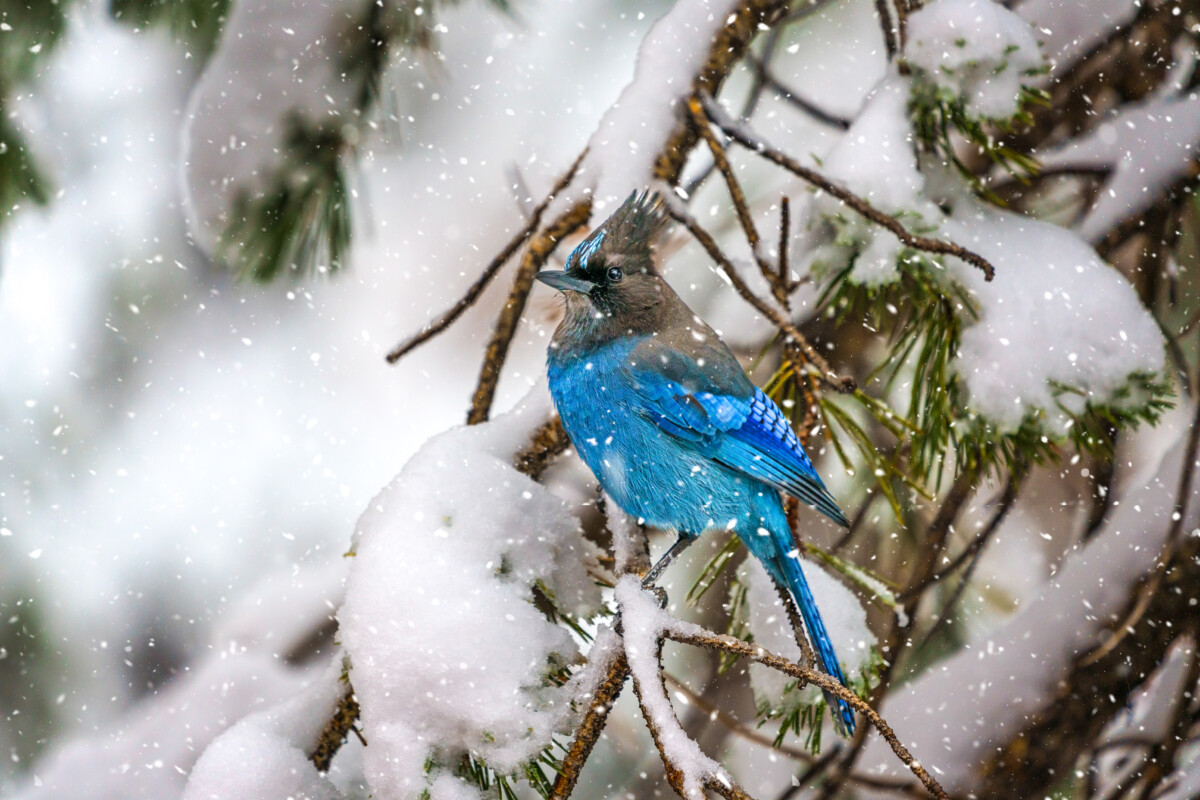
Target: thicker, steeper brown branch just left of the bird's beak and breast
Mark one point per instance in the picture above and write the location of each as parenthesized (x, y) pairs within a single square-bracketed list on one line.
[(541, 249)]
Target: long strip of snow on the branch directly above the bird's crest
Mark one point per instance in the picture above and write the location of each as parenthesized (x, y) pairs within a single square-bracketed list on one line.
[(632, 134)]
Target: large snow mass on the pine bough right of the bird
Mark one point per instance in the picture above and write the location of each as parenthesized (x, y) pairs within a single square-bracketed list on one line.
[(1051, 299)]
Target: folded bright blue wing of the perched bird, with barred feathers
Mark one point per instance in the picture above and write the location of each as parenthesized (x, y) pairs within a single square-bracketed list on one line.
[(749, 435)]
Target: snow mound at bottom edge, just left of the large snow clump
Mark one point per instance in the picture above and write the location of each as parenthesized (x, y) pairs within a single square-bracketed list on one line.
[(267, 754)]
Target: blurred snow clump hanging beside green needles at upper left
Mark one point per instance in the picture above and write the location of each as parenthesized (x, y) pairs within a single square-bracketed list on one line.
[(275, 61)]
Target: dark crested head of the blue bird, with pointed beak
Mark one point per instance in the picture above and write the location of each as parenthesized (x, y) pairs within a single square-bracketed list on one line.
[(610, 278)]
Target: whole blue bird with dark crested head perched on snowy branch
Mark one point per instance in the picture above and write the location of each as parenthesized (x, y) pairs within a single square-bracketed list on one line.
[(668, 420)]
